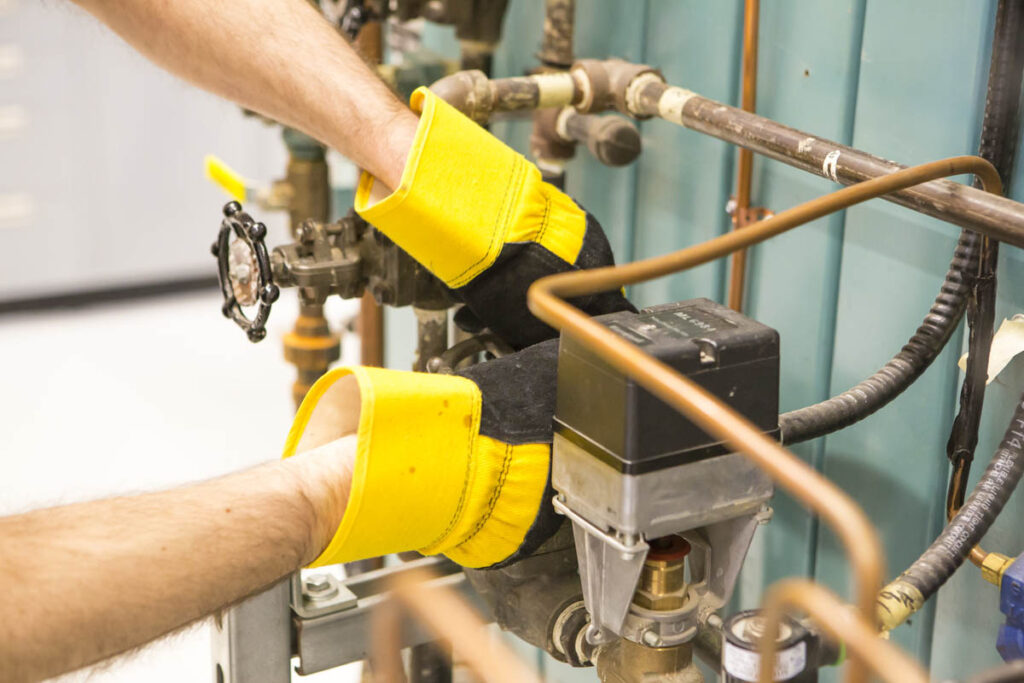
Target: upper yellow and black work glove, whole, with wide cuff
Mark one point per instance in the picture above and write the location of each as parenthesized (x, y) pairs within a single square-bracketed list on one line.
[(479, 217)]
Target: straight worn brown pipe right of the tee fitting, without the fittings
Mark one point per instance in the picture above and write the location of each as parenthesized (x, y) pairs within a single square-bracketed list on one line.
[(974, 209)]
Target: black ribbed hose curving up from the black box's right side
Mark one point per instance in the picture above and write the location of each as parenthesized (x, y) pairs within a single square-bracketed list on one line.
[(857, 404)]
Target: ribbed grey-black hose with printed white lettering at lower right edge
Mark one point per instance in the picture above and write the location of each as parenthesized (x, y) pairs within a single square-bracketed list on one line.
[(968, 527)]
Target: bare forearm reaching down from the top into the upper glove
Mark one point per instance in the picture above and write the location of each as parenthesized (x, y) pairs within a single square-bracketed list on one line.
[(281, 59)]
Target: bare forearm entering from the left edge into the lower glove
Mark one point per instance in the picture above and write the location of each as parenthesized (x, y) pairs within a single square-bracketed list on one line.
[(89, 581)]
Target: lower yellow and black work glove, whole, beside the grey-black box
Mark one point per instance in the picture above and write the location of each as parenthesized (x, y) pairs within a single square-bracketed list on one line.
[(453, 464)]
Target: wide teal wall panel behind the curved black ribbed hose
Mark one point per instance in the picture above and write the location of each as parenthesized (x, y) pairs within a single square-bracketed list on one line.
[(916, 102)]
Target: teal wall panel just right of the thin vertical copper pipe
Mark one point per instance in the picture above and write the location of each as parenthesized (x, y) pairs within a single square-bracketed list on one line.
[(807, 79)]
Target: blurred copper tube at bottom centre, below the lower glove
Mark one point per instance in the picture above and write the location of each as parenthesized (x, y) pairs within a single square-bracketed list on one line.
[(451, 619)]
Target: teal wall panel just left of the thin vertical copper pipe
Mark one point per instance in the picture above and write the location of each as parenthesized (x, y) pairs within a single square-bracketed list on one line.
[(684, 178)]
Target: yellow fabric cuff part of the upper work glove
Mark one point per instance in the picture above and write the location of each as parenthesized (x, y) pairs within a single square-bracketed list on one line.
[(464, 195)]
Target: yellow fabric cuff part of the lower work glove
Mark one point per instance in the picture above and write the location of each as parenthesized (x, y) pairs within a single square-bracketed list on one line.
[(424, 478)]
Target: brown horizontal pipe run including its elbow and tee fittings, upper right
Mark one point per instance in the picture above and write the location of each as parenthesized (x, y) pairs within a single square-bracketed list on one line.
[(593, 87)]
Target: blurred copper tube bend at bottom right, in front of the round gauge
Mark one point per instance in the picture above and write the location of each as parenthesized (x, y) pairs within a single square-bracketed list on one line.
[(884, 659)]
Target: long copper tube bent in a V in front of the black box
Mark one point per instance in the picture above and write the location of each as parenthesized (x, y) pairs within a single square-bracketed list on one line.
[(546, 301)]
